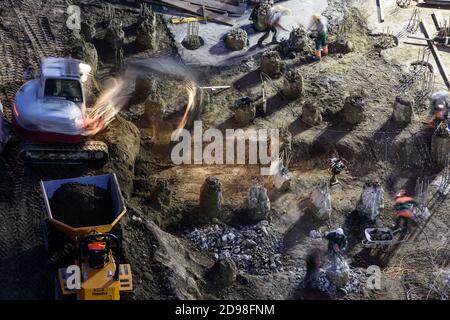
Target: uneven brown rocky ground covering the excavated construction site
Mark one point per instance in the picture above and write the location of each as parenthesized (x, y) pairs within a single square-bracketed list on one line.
[(183, 247)]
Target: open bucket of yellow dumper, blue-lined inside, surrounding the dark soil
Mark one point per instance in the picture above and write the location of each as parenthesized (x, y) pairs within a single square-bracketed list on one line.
[(108, 183)]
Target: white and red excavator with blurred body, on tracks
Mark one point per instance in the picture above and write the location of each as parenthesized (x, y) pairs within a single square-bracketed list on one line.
[(49, 114)]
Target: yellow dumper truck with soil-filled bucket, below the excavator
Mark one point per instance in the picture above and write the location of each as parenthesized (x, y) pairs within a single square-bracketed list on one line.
[(93, 270)]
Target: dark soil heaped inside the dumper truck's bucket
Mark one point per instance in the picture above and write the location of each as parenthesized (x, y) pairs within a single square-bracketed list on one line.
[(82, 205)]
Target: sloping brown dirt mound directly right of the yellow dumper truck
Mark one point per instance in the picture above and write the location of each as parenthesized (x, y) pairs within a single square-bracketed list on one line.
[(164, 266)]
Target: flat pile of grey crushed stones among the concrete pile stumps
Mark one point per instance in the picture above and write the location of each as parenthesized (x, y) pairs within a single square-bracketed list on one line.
[(255, 248)]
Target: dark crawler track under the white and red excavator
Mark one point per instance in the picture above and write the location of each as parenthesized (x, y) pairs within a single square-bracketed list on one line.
[(91, 152)]
